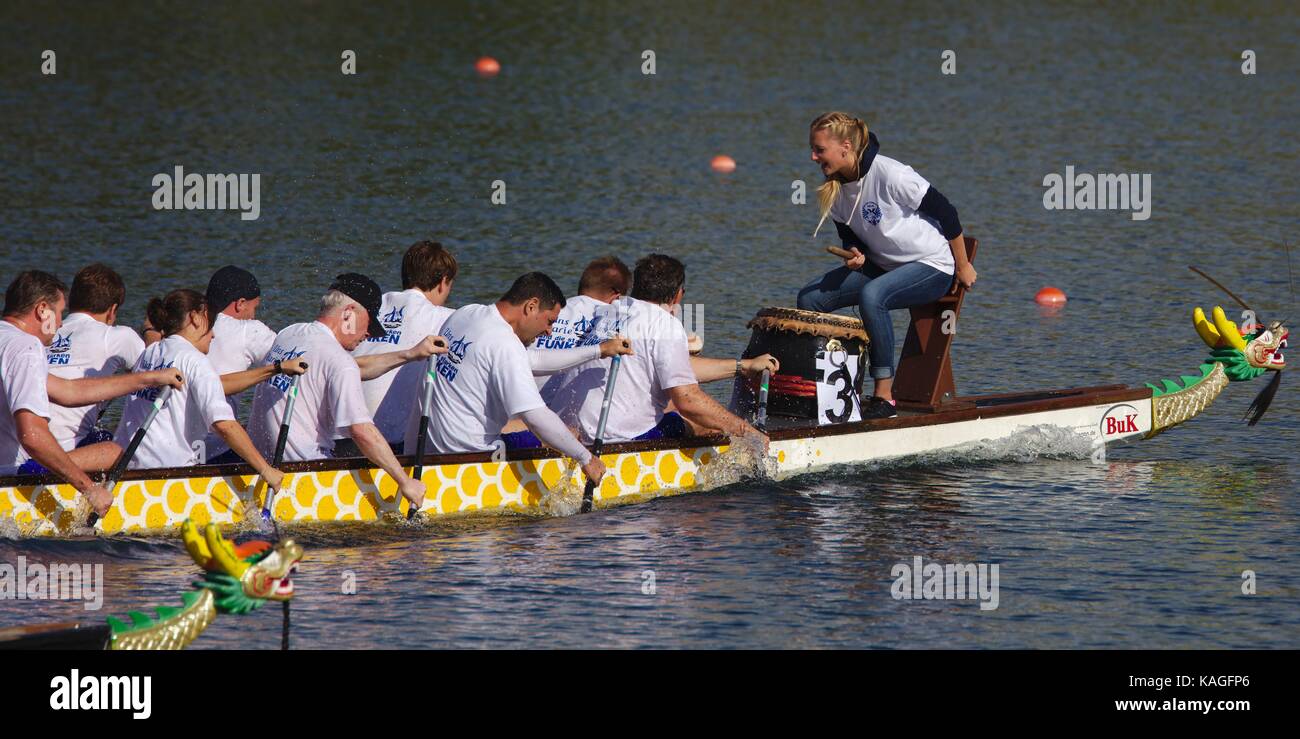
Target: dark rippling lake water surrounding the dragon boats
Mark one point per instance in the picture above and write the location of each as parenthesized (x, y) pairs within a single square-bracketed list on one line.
[(1146, 551)]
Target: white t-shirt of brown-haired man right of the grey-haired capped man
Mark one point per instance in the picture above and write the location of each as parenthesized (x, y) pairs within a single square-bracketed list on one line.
[(408, 317)]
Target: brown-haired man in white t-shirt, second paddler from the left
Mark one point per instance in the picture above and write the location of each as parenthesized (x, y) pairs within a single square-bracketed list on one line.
[(90, 345)]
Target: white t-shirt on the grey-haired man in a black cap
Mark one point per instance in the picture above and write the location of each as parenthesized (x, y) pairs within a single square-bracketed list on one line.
[(330, 396)]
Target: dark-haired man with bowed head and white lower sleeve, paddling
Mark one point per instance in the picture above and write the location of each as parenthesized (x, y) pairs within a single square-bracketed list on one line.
[(484, 379)]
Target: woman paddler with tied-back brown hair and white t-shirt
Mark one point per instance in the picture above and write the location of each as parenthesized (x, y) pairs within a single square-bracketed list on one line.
[(177, 434)]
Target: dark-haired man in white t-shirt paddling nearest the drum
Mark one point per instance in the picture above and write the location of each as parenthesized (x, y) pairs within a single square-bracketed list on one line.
[(658, 373)]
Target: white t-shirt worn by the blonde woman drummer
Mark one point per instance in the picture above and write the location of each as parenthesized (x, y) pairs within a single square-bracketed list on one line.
[(887, 221)]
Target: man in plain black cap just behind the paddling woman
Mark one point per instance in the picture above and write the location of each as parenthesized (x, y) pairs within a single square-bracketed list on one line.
[(239, 339)]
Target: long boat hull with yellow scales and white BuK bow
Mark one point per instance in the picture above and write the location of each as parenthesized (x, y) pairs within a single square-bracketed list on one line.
[(540, 483)]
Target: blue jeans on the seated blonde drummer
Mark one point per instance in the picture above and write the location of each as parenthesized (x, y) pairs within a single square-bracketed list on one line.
[(877, 292)]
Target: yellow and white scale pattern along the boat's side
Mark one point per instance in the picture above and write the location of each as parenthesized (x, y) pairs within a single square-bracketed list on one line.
[(161, 507)]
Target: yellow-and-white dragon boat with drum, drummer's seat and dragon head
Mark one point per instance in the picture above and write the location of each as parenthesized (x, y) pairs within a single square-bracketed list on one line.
[(812, 423)]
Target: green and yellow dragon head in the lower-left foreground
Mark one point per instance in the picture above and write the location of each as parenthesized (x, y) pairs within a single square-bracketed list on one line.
[(242, 578)]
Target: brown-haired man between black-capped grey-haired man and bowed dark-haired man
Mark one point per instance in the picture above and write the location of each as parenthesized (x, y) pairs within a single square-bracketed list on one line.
[(417, 312)]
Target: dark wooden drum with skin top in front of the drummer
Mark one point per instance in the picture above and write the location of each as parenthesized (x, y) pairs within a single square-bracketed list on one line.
[(795, 339)]
